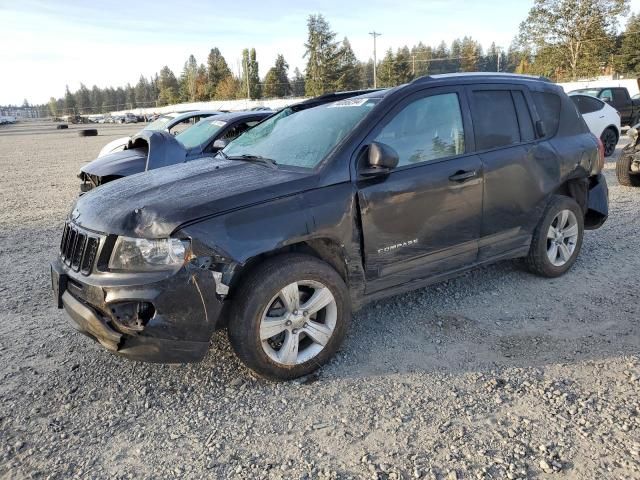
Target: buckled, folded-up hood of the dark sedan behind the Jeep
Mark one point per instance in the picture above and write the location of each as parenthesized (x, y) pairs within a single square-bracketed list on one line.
[(163, 149)]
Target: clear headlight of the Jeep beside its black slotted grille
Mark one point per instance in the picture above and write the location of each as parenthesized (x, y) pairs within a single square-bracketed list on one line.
[(143, 255)]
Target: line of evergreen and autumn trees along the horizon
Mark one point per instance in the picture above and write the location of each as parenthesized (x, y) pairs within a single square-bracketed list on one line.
[(560, 39)]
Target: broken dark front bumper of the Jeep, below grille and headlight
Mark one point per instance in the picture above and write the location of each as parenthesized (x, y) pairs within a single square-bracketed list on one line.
[(186, 311)]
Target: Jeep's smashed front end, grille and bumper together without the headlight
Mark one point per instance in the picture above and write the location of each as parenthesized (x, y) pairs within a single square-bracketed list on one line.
[(159, 316)]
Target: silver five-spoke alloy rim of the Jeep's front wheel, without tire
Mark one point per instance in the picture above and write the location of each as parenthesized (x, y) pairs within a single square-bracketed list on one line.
[(298, 322)]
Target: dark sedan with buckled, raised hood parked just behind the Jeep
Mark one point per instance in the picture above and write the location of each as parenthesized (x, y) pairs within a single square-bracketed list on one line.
[(154, 149)]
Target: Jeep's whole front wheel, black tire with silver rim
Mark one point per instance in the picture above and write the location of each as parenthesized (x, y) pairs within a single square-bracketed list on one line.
[(290, 316)]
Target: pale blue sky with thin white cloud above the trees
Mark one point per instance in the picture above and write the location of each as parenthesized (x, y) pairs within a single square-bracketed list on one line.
[(49, 44)]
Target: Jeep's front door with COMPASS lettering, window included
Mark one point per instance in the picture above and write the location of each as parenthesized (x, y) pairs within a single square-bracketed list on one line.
[(424, 217)]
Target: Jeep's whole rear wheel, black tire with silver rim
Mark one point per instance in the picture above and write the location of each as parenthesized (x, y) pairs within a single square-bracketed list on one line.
[(558, 236)]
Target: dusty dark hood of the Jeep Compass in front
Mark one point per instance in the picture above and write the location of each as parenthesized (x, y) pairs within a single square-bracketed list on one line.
[(154, 204)]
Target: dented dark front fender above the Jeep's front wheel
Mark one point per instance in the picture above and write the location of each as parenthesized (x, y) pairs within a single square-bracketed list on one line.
[(328, 213)]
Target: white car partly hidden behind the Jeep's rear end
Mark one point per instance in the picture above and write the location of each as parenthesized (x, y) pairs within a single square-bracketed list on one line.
[(602, 119)]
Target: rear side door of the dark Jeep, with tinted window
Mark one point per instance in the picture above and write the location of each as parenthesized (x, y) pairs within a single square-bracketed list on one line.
[(506, 144)]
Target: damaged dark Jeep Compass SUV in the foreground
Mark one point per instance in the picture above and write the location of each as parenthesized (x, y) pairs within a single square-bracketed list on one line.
[(326, 206)]
